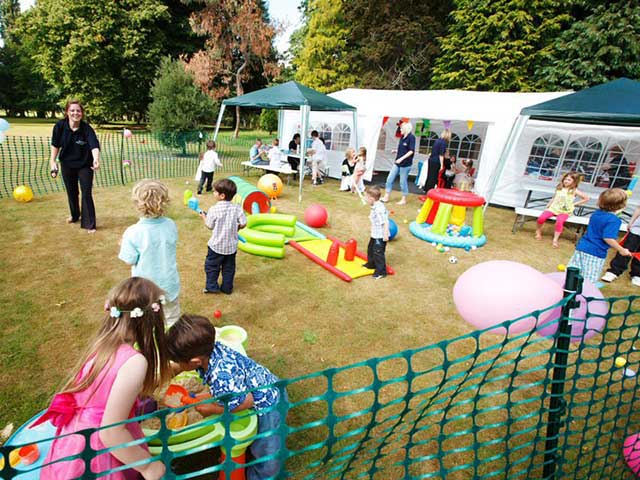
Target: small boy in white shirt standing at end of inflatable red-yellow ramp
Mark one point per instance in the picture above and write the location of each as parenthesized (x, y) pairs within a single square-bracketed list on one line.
[(379, 233)]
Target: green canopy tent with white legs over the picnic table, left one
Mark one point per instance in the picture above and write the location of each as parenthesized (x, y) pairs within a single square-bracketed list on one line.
[(291, 95)]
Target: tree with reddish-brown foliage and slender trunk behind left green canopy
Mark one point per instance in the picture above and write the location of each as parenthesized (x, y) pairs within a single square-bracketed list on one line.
[(238, 39)]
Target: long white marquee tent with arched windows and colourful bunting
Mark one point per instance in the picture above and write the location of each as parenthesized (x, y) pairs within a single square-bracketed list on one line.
[(481, 121)]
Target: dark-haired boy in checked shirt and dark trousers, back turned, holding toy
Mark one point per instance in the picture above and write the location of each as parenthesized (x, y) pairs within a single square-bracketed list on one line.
[(224, 219)]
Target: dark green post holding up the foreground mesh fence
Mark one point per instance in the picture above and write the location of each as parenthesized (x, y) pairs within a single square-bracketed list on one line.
[(557, 404)]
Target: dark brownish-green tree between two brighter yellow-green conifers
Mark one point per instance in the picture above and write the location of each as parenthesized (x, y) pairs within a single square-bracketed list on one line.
[(391, 47)]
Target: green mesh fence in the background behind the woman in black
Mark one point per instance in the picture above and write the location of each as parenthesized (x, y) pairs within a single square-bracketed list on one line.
[(25, 160)]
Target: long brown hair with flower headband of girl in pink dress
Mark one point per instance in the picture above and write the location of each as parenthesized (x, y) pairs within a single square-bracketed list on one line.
[(120, 326)]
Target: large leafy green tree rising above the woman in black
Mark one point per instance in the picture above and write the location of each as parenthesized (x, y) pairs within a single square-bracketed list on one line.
[(105, 53)]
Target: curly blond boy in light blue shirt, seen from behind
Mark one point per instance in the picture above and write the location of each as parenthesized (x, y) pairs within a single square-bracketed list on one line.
[(149, 246)]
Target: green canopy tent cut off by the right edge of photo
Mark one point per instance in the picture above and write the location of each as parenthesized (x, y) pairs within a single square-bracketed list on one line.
[(613, 103)]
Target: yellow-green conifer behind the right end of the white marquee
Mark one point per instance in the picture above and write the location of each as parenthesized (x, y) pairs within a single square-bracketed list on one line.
[(499, 45)]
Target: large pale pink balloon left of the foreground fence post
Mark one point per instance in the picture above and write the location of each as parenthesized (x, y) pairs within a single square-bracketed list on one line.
[(492, 292)]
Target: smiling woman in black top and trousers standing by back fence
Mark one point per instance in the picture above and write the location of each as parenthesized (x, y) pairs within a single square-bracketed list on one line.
[(74, 142)]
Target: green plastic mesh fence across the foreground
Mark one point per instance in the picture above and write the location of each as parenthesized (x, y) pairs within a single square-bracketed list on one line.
[(516, 406)]
